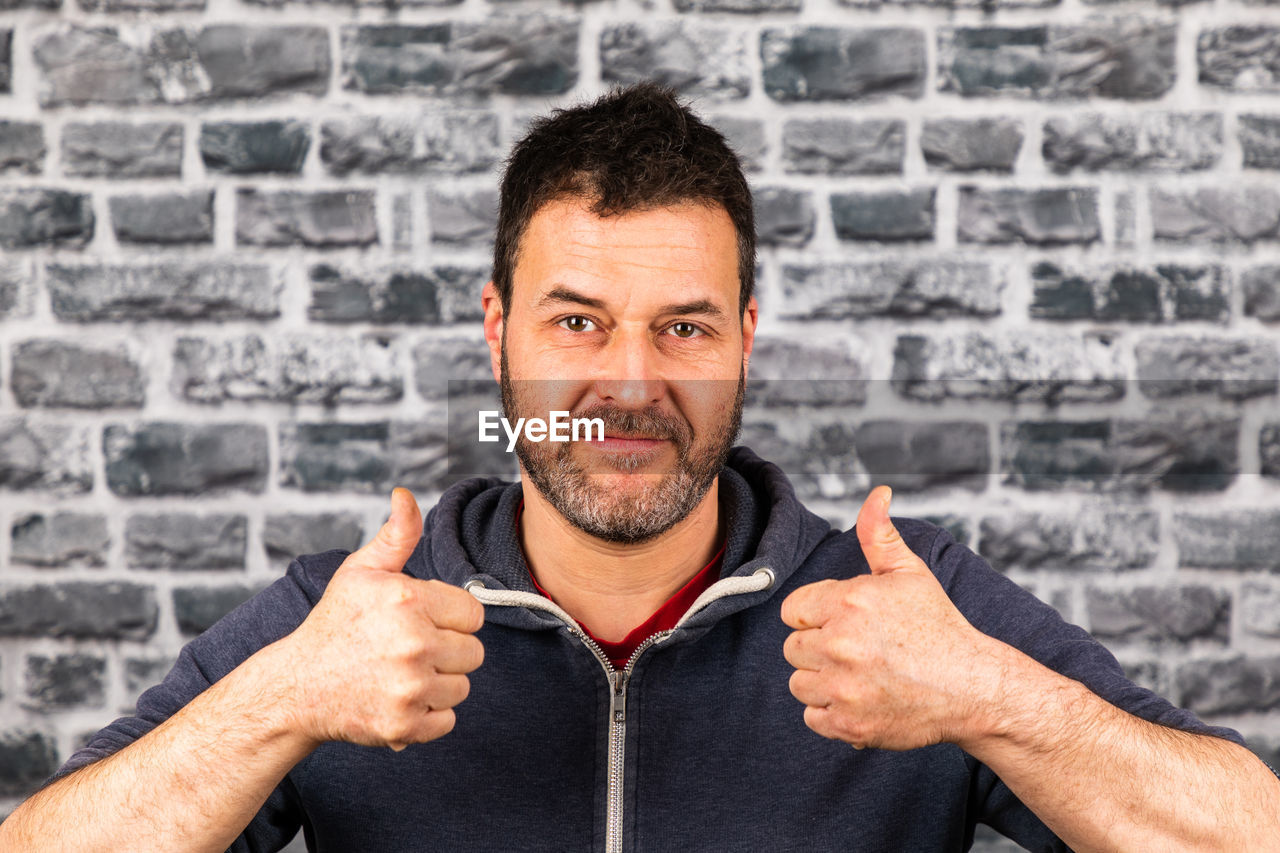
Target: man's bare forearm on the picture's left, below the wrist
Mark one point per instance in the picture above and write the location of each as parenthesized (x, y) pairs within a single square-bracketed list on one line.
[(194, 783)]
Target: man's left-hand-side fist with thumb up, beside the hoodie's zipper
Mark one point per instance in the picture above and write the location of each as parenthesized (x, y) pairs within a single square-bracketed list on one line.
[(382, 659)]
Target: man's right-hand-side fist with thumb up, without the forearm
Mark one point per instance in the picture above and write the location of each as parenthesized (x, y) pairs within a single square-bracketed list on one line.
[(886, 660)]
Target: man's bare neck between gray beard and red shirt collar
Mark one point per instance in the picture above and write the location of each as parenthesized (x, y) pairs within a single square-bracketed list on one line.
[(612, 589)]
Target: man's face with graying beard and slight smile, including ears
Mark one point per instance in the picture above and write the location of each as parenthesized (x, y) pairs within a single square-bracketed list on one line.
[(633, 320)]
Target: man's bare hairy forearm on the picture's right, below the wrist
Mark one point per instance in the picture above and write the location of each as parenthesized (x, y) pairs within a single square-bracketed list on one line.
[(1107, 781)]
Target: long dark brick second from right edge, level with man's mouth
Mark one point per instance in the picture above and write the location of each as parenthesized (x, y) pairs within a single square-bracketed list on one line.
[(1187, 451)]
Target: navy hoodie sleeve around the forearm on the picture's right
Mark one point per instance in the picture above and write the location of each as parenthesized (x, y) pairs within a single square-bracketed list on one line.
[(1004, 610)]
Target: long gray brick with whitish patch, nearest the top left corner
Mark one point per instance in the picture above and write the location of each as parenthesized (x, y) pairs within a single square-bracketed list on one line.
[(97, 66)]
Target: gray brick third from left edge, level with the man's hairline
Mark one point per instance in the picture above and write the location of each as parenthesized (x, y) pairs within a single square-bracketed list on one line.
[(324, 218)]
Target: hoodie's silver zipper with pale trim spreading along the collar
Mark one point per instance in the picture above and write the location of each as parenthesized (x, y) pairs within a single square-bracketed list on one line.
[(618, 679)]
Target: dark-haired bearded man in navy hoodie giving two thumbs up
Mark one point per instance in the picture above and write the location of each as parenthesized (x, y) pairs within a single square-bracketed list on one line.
[(655, 608)]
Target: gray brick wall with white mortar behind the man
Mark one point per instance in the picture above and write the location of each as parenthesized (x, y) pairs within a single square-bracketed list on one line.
[(1028, 248)]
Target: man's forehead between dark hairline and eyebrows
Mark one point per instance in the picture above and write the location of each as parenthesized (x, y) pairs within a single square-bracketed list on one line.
[(687, 244)]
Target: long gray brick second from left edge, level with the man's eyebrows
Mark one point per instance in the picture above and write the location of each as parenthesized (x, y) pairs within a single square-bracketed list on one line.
[(208, 291)]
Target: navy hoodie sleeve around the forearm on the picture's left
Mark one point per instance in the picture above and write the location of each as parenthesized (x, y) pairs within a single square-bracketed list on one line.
[(262, 621)]
